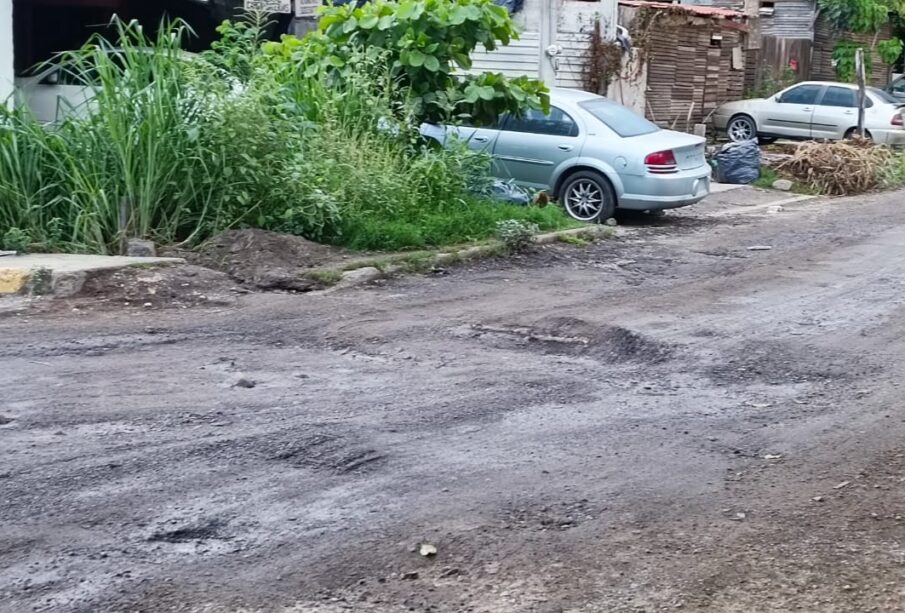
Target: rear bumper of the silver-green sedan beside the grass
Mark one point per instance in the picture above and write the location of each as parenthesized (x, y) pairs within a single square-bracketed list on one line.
[(657, 192)]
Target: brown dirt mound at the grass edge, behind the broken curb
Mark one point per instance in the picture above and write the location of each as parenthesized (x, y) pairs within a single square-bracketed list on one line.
[(262, 259)]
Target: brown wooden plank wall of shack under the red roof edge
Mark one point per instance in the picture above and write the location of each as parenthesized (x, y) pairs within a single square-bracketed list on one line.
[(688, 76)]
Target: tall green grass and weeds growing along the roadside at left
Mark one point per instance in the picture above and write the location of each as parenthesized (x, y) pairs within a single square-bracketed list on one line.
[(177, 148)]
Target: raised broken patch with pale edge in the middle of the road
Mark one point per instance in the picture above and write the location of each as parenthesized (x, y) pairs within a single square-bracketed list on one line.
[(574, 337)]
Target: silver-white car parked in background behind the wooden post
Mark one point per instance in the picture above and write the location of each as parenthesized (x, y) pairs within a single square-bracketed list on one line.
[(814, 110)]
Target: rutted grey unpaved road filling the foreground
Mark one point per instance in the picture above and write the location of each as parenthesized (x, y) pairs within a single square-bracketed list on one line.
[(664, 421)]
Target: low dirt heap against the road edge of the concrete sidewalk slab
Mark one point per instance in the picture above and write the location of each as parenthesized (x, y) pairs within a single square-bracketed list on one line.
[(159, 287)]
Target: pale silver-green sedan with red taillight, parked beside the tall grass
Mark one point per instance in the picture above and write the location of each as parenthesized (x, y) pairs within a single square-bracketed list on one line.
[(593, 156)]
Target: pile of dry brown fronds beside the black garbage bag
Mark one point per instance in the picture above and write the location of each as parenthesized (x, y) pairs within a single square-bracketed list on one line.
[(839, 168)]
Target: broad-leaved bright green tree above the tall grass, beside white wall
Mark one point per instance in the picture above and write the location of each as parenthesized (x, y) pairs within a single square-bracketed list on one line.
[(426, 46)]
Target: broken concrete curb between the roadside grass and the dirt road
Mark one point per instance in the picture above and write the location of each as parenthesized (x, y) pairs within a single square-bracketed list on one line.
[(368, 274)]
